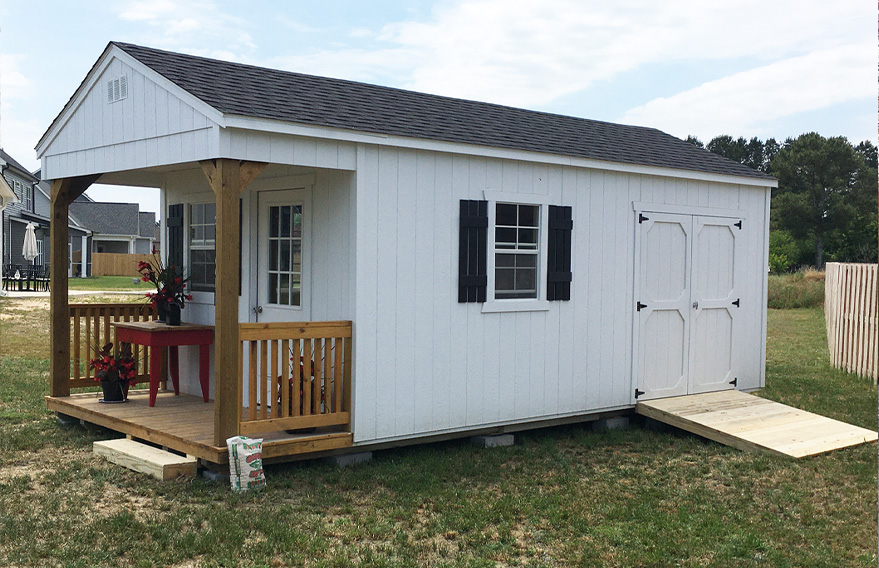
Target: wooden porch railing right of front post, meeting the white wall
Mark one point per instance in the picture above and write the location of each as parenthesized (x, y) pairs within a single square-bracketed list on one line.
[(296, 375)]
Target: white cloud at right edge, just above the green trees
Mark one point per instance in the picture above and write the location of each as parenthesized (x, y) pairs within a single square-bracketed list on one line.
[(745, 102)]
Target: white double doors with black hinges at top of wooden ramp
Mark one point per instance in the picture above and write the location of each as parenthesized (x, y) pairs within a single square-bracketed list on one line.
[(686, 304)]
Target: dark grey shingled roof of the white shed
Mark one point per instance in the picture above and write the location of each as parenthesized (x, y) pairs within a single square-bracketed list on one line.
[(245, 90)]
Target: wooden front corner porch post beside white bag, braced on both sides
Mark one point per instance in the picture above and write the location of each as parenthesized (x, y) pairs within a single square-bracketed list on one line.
[(227, 178)]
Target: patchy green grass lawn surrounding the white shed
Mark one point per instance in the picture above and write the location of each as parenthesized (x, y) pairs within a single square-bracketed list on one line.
[(559, 497)]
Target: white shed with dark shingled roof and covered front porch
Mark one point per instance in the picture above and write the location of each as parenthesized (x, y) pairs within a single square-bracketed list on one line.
[(499, 266)]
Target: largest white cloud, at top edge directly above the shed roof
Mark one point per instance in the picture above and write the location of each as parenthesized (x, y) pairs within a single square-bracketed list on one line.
[(526, 53)]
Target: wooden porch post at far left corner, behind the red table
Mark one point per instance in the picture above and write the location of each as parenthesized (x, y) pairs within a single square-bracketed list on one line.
[(63, 191)]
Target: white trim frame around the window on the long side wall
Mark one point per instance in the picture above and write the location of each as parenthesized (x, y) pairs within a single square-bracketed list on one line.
[(495, 305)]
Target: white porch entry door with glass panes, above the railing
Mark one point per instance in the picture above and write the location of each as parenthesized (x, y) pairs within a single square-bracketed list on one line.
[(283, 256)]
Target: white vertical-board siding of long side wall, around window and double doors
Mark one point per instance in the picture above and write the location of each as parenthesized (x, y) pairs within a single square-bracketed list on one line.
[(426, 364)]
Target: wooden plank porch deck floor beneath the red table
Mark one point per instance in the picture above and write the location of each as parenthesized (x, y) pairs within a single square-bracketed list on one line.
[(184, 423)]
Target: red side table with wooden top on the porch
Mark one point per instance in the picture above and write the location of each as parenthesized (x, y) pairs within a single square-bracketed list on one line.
[(156, 336)]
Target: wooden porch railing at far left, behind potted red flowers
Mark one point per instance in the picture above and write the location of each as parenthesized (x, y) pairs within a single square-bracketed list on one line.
[(90, 328)]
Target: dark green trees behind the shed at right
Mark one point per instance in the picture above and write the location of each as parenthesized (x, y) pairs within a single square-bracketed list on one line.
[(825, 206)]
